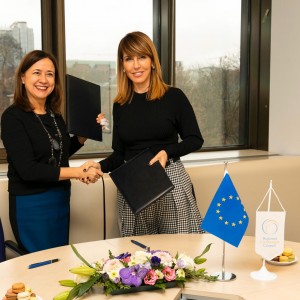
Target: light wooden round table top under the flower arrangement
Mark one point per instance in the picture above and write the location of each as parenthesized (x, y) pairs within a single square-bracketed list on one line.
[(239, 261)]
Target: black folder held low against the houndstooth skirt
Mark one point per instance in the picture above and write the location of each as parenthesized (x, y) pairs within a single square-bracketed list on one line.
[(139, 183)]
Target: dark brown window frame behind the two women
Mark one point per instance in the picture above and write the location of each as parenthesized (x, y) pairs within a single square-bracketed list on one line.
[(255, 60)]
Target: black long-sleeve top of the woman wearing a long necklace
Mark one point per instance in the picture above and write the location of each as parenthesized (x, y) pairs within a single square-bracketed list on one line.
[(28, 150)]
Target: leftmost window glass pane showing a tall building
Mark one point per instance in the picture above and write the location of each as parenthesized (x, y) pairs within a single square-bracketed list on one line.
[(20, 32)]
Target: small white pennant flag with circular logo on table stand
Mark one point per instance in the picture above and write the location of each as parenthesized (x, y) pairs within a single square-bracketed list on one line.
[(269, 233)]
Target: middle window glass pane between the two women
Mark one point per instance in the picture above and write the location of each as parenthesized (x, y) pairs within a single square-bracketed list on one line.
[(93, 32)]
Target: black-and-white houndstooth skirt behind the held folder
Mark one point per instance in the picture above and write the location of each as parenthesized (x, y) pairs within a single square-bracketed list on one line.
[(176, 212)]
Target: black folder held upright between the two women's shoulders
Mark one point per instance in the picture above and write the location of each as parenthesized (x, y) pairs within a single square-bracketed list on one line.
[(83, 106)]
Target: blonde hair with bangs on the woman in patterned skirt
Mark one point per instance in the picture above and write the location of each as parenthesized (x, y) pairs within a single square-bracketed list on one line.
[(136, 44)]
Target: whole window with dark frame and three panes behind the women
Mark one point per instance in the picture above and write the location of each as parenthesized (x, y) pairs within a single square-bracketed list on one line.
[(217, 53)]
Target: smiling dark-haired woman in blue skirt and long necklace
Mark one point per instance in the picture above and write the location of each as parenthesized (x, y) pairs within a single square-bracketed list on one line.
[(38, 148)]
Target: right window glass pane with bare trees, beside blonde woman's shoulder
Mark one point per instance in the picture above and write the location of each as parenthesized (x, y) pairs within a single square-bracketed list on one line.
[(208, 66)]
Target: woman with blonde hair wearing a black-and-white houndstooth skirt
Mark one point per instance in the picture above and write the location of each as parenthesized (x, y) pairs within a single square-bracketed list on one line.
[(148, 113)]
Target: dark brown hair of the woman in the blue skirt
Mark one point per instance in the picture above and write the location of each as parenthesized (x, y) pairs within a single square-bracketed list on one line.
[(54, 100)]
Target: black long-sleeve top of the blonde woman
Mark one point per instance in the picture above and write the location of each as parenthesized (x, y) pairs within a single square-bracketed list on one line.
[(157, 125)]
